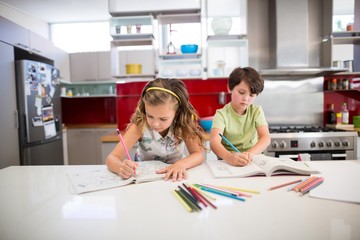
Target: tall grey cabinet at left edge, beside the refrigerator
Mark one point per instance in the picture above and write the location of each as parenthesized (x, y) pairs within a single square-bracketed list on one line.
[(9, 140)]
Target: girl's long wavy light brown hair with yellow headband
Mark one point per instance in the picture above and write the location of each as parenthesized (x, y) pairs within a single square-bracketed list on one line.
[(174, 90)]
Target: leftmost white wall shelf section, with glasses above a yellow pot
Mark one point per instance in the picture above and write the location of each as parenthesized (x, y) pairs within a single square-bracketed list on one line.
[(133, 43)]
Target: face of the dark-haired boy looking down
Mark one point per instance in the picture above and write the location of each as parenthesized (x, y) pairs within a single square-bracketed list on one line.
[(241, 97)]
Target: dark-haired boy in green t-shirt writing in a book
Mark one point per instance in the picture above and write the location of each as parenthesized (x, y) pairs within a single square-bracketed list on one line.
[(239, 121)]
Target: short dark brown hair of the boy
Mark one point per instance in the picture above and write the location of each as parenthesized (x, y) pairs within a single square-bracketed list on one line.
[(248, 75)]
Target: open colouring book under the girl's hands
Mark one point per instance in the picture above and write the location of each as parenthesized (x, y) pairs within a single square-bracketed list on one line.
[(98, 178)]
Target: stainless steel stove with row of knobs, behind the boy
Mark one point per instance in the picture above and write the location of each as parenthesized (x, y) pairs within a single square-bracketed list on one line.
[(320, 143)]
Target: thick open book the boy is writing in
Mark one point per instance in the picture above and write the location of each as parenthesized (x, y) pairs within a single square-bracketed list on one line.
[(261, 166)]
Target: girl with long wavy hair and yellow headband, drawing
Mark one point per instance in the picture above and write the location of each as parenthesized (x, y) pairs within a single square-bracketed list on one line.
[(163, 123)]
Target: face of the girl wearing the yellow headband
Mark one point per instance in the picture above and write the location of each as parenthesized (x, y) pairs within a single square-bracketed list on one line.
[(160, 117)]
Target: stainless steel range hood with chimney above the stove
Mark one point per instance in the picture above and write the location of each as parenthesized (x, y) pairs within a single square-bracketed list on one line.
[(295, 39)]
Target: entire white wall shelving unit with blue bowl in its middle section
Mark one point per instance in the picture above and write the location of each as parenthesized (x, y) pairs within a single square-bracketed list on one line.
[(187, 39)]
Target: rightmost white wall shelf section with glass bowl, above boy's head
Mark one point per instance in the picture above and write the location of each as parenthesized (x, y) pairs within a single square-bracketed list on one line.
[(227, 43)]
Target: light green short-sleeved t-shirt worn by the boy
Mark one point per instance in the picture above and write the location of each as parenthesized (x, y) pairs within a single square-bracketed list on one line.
[(240, 130)]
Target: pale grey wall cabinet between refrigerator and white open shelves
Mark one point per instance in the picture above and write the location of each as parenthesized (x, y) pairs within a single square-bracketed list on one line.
[(90, 66)]
